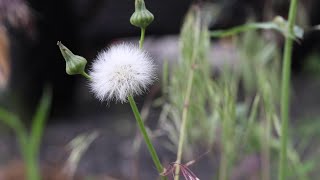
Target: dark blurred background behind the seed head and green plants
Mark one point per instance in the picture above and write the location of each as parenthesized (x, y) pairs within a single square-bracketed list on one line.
[(30, 59)]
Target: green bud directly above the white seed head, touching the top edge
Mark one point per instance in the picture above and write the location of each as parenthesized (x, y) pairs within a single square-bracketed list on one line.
[(141, 17)]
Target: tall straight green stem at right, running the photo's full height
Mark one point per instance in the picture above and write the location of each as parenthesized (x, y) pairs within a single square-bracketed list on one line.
[(285, 91)]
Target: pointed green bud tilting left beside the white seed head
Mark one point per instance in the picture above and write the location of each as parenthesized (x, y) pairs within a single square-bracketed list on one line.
[(74, 64)]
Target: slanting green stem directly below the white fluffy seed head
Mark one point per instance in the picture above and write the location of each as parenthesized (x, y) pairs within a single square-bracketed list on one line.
[(145, 135)]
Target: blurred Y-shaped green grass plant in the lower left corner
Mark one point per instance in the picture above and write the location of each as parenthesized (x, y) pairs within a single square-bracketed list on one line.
[(30, 142)]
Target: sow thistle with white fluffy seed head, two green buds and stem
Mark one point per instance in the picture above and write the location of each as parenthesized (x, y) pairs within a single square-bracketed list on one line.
[(121, 72)]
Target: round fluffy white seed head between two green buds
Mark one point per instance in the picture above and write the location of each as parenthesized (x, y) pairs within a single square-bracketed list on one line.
[(120, 71)]
